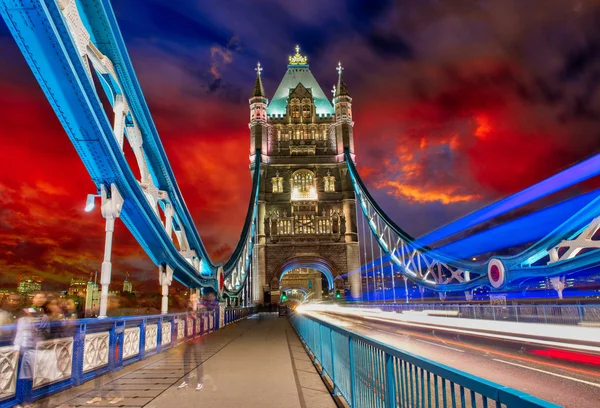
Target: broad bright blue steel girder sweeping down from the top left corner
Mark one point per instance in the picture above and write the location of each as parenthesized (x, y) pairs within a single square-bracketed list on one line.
[(40, 32)]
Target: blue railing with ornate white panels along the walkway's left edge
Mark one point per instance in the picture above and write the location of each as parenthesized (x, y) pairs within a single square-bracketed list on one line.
[(84, 349)]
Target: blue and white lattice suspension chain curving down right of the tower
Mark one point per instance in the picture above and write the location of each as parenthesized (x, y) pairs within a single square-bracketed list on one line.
[(570, 246)]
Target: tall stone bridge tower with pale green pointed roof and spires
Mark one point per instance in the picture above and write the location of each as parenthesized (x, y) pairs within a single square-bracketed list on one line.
[(307, 207)]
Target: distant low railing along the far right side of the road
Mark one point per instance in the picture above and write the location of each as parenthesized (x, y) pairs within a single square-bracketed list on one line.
[(544, 314)]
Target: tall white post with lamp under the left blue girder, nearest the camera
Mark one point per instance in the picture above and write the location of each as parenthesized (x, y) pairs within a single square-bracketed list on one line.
[(111, 209)]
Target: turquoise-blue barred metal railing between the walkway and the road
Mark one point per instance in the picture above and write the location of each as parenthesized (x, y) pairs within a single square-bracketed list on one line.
[(367, 373)]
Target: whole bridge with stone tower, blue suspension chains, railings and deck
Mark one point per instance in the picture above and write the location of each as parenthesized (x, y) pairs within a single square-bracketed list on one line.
[(310, 220)]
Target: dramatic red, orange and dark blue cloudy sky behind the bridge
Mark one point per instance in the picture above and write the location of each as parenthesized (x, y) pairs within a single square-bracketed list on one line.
[(456, 104)]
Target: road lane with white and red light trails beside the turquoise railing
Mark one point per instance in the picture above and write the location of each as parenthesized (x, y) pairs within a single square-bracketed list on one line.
[(566, 378)]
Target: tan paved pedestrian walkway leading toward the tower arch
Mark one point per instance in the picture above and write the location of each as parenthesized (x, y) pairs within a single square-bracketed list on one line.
[(257, 362)]
